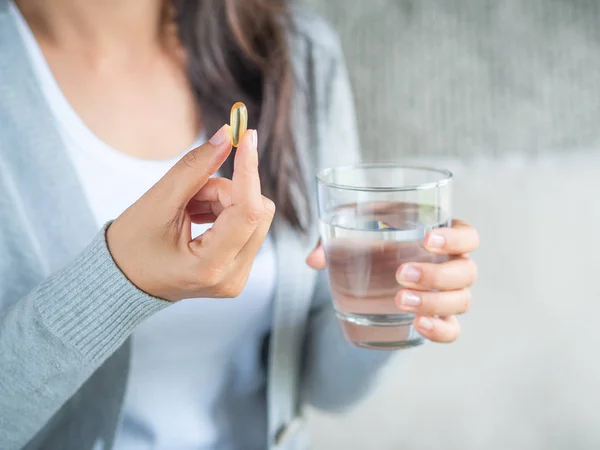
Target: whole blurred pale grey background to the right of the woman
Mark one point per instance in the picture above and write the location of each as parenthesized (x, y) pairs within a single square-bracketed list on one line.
[(507, 95)]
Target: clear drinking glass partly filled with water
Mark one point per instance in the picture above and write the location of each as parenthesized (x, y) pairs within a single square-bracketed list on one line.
[(373, 218)]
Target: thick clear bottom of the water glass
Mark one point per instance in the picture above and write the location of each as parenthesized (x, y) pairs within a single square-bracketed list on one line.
[(380, 332)]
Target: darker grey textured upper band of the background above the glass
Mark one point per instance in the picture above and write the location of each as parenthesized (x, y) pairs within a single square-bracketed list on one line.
[(471, 77)]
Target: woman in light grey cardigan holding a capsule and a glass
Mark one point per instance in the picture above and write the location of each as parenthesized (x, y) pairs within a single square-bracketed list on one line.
[(98, 103)]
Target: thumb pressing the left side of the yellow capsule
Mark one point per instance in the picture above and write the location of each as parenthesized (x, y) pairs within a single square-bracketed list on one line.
[(191, 172)]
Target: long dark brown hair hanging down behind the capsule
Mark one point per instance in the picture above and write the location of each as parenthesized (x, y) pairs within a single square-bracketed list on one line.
[(238, 50)]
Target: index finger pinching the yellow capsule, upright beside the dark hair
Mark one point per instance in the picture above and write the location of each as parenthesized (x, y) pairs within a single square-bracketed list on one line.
[(245, 188)]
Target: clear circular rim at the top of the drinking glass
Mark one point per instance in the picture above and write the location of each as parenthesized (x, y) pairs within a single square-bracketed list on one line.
[(446, 178)]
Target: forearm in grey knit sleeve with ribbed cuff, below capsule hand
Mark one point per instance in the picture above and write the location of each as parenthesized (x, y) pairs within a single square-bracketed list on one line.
[(53, 339)]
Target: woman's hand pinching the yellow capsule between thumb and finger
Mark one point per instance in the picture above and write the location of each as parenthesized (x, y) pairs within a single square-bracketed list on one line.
[(151, 241)]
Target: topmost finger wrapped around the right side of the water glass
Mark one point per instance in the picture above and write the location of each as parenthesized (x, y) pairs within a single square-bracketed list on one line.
[(460, 239)]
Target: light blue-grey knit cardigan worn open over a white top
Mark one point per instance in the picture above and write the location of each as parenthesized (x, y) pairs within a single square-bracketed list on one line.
[(66, 311)]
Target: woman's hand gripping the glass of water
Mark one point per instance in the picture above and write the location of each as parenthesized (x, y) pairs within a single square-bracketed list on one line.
[(436, 293)]
